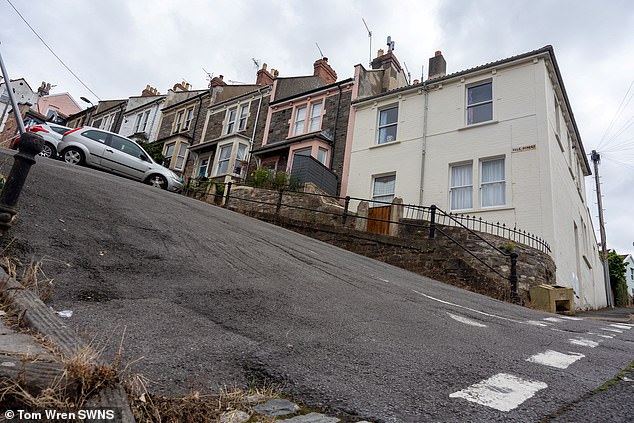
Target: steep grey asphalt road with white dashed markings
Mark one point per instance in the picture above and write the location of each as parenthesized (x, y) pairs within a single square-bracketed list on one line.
[(208, 297)]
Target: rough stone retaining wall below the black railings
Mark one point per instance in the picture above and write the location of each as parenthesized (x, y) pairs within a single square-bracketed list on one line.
[(408, 247)]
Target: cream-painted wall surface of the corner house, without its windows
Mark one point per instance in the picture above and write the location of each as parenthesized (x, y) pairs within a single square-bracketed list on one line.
[(542, 197)]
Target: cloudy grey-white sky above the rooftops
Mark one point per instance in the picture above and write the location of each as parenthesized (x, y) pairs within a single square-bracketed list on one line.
[(118, 46)]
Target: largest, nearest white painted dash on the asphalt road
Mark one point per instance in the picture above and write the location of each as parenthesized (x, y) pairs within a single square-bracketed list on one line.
[(503, 392)]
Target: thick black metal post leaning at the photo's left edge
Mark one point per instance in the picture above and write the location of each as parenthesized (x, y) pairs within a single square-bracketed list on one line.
[(29, 146)]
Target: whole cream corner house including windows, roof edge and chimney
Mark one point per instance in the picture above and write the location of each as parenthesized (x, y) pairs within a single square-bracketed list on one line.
[(498, 141)]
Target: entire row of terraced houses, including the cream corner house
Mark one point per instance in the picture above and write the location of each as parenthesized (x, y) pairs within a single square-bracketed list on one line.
[(497, 141)]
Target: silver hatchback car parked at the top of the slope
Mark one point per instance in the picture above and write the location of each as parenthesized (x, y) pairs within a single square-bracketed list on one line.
[(116, 154)]
